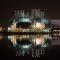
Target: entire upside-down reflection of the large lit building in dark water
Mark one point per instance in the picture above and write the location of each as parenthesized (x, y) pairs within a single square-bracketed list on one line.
[(29, 44)]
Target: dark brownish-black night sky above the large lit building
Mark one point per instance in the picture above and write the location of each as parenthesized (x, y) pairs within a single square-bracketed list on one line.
[(7, 7)]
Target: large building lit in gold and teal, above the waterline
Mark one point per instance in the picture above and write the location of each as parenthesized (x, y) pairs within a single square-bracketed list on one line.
[(32, 21)]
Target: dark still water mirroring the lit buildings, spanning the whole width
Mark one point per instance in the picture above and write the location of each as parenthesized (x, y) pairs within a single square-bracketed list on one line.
[(10, 47)]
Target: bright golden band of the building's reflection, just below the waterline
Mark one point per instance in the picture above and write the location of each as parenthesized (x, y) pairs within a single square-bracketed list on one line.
[(35, 39)]
